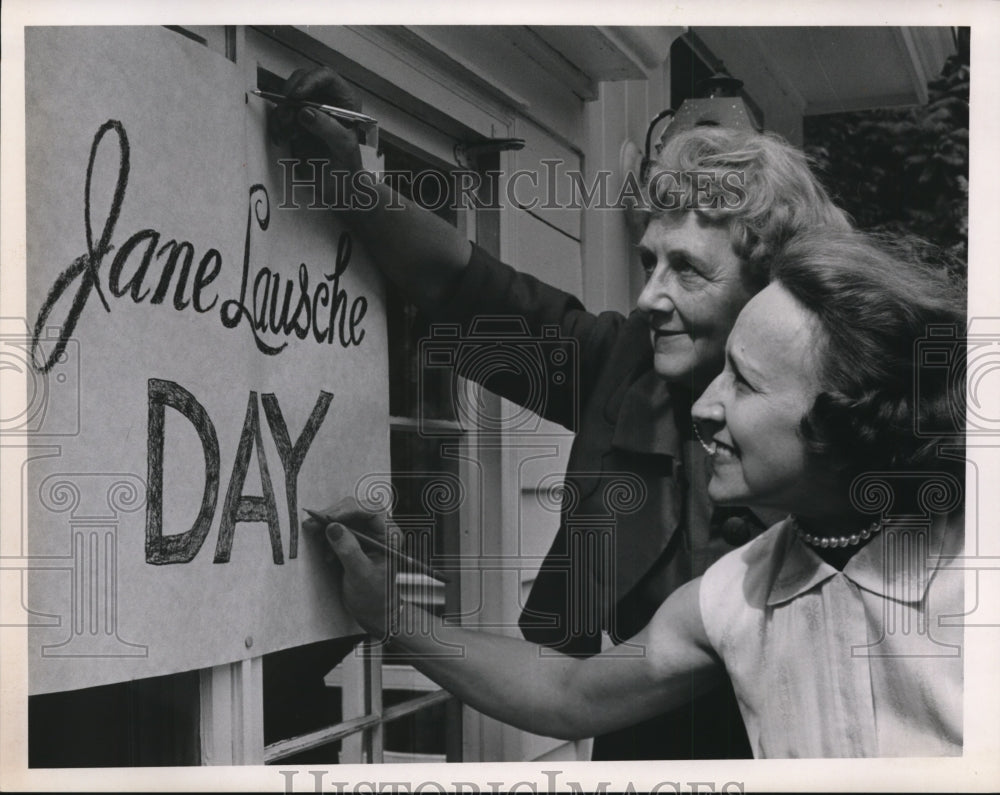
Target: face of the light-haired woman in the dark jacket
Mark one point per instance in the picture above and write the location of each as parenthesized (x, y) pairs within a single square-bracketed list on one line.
[(693, 294)]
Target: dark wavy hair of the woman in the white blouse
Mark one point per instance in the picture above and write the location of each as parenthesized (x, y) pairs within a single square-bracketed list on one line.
[(877, 300)]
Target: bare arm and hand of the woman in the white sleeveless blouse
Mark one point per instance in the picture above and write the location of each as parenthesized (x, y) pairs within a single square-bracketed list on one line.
[(535, 689)]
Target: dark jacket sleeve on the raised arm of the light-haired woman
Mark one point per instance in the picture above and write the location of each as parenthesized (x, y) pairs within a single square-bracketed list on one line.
[(524, 339)]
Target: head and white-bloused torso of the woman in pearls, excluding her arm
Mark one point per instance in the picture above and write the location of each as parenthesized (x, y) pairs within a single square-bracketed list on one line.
[(836, 616)]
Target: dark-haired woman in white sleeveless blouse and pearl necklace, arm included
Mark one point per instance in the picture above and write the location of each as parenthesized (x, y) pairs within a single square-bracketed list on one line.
[(827, 624)]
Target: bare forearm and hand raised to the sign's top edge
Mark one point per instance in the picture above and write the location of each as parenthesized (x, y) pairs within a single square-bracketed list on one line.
[(415, 249)]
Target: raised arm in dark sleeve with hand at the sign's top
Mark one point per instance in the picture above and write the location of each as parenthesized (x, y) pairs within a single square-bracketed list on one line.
[(429, 261)]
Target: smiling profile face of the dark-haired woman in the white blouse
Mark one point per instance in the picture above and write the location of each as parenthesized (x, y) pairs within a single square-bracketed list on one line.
[(751, 413)]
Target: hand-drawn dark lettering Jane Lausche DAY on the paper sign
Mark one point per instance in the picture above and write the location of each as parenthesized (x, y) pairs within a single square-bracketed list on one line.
[(300, 308)]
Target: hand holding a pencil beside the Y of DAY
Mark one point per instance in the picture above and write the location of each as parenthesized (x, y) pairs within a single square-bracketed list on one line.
[(365, 590)]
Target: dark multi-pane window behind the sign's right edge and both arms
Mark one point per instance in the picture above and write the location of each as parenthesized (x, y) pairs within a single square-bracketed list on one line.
[(377, 707)]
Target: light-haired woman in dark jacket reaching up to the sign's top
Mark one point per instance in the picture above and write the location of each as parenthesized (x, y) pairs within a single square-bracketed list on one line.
[(705, 251)]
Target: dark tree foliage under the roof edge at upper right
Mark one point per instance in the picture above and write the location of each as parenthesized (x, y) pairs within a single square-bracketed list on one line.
[(904, 169)]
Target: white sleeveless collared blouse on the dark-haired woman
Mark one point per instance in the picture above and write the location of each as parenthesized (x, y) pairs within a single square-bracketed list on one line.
[(863, 662)]
